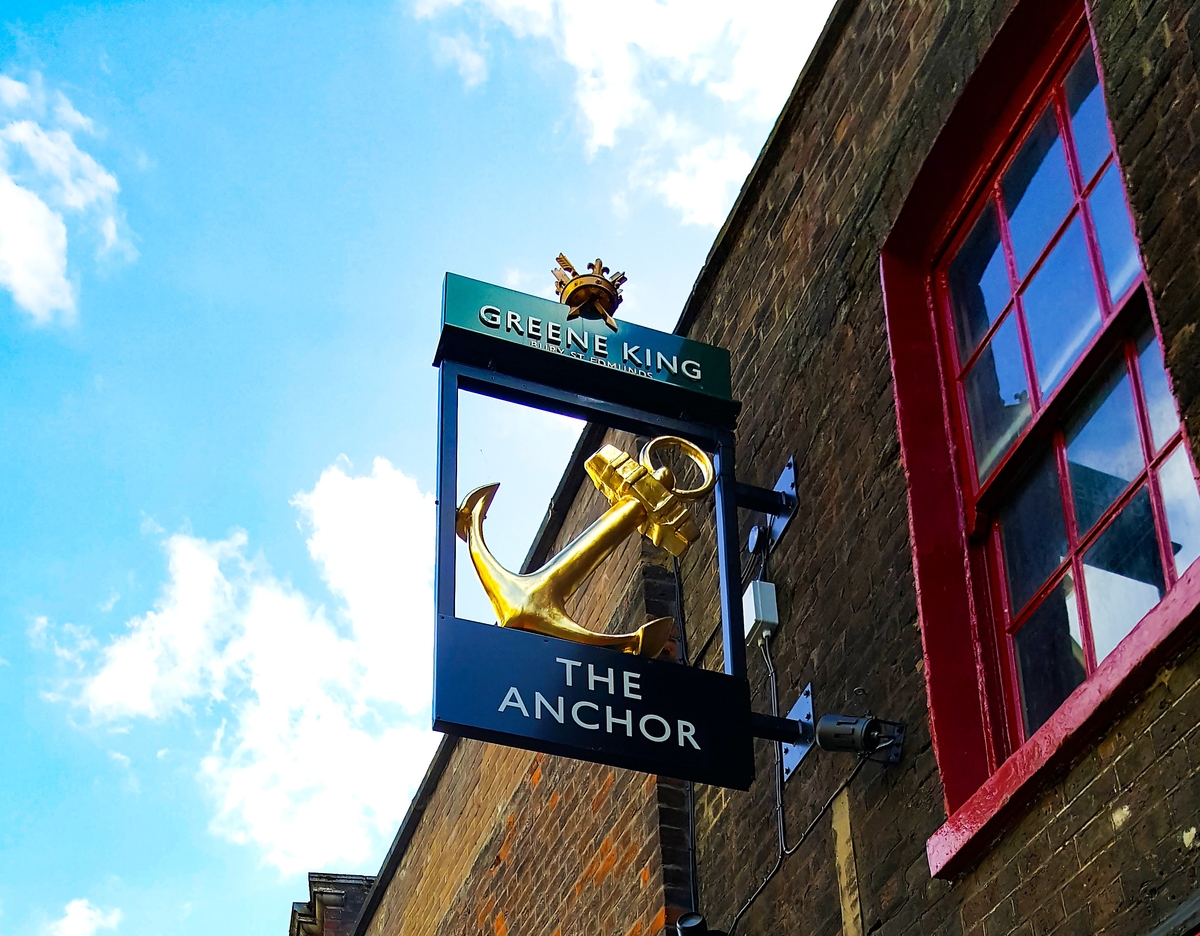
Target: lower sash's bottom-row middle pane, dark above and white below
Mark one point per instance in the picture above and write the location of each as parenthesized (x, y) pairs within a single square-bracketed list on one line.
[(1124, 574)]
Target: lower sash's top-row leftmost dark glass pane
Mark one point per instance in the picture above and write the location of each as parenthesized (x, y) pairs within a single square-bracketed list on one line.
[(1035, 533)]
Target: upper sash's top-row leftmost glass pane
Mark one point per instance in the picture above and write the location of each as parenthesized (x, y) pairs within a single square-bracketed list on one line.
[(979, 284)]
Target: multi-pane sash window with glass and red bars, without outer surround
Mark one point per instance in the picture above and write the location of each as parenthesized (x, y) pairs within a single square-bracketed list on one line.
[(1087, 507)]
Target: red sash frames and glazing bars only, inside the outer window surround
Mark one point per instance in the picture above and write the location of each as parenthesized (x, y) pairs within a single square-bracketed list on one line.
[(1113, 340)]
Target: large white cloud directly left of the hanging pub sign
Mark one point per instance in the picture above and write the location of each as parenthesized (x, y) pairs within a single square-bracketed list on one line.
[(326, 712)]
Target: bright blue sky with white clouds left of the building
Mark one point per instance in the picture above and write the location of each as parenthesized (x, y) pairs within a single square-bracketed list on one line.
[(223, 237)]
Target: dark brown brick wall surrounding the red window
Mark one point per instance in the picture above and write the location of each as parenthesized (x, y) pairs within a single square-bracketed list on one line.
[(794, 292)]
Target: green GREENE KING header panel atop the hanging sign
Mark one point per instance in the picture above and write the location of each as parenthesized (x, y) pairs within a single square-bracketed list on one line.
[(529, 337)]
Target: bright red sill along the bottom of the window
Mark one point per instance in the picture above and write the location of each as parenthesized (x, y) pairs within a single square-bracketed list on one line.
[(968, 835)]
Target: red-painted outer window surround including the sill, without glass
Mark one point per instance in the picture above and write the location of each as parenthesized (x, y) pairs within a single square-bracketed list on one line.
[(989, 770)]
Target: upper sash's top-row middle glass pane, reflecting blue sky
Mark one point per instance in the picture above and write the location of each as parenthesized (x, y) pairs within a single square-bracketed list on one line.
[(1037, 193)]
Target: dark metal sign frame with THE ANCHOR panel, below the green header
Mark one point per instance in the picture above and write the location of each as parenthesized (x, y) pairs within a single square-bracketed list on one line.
[(477, 662)]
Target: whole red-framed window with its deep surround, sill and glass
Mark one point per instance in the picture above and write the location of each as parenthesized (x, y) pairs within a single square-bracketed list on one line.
[(1053, 500)]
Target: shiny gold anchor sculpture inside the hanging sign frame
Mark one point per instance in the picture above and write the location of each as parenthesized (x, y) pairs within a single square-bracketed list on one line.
[(644, 499)]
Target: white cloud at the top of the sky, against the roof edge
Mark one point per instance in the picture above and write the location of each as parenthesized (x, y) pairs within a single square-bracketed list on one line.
[(706, 69)]
